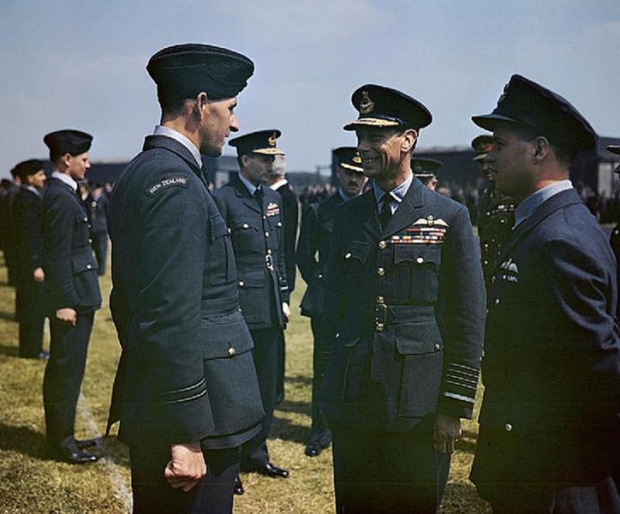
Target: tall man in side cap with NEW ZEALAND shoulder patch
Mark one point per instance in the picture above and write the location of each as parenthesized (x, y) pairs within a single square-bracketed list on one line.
[(186, 391)]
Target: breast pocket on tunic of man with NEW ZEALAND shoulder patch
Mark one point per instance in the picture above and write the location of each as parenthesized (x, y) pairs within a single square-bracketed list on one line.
[(220, 257)]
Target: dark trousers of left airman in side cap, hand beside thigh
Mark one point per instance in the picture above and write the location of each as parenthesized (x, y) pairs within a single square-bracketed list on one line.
[(63, 376)]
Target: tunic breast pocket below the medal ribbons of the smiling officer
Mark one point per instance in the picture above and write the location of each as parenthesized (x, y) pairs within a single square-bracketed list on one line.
[(416, 273)]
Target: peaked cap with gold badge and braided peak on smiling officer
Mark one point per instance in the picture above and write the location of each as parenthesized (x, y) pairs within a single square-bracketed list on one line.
[(381, 106)]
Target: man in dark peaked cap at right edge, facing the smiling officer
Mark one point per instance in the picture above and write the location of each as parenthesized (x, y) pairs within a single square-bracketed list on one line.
[(551, 366)]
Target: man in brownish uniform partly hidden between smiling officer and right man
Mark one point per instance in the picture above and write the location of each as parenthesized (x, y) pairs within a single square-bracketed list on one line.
[(496, 216)]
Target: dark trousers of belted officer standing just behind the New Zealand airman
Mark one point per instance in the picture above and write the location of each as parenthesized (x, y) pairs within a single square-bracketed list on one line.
[(266, 350)]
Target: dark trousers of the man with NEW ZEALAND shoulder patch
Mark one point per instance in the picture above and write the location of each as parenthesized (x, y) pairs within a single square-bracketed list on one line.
[(153, 495)]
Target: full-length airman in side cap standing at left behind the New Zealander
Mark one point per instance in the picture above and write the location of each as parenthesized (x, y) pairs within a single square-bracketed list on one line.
[(71, 291)]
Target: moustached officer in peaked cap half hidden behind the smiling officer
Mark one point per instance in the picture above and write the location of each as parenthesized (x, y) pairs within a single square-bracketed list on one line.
[(317, 225)]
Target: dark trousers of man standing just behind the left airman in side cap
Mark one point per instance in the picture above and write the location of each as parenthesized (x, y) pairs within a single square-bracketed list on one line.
[(29, 298)]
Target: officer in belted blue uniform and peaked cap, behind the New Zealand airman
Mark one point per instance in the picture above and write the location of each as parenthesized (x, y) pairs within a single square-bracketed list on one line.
[(253, 213)]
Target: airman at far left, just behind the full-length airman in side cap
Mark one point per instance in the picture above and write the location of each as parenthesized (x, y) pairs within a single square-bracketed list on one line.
[(29, 259)]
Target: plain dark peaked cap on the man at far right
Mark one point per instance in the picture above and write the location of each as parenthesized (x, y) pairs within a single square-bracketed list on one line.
[(533, 106)]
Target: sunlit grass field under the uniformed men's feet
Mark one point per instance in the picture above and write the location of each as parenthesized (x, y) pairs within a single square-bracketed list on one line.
[(31, 484)]
